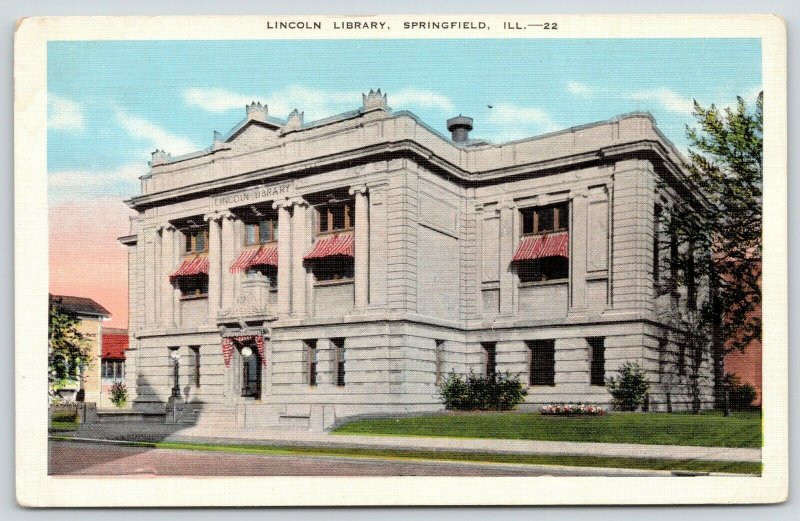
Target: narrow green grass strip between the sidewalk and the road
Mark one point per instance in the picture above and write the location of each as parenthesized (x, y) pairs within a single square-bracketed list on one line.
[(734, 467)]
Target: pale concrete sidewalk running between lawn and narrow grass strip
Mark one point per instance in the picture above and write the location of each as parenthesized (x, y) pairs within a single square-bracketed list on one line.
[(235, 435)]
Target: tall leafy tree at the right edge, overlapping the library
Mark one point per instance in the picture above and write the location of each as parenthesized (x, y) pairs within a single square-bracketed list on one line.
[(724, 235)]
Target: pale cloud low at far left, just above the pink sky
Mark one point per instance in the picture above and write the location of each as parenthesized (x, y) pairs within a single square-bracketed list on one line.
[(83, 184)]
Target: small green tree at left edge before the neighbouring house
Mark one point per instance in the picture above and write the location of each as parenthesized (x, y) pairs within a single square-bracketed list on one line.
[(68, 348)]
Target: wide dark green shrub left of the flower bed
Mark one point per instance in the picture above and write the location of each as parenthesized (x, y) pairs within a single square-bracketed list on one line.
[(499, 392)]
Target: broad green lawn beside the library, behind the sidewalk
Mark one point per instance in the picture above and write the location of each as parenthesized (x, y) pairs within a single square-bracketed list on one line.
[(711, 429)]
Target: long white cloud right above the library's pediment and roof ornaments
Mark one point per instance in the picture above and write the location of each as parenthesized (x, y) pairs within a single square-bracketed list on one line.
[(315, 103)]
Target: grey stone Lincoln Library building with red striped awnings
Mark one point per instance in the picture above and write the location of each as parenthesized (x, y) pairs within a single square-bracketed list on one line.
[(297, 273)]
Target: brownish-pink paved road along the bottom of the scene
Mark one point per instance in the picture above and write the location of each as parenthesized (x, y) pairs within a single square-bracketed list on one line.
[(71, 458)]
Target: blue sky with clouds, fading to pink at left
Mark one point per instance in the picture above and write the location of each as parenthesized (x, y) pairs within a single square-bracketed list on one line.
[(110, 104)]
